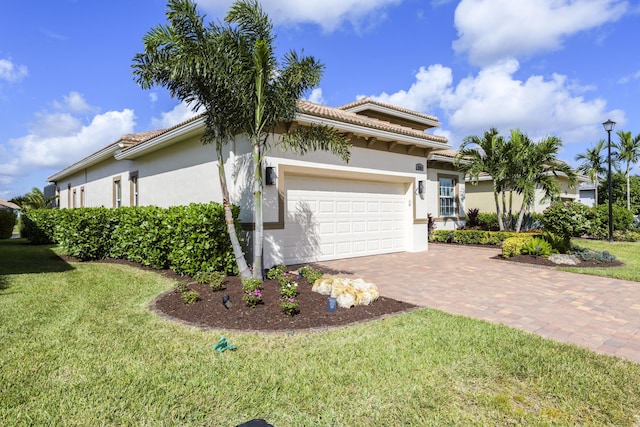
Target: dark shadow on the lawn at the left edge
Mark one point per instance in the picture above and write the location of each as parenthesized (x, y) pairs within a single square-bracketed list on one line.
[(17, 256)]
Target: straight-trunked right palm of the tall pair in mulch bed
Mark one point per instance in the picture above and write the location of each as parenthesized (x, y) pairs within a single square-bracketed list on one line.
[(271, 97)]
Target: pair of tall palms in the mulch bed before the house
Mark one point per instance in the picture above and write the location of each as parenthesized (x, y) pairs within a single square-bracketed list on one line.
[(231, 72)]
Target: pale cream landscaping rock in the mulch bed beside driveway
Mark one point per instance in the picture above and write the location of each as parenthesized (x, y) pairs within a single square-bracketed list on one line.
[(347, 292)]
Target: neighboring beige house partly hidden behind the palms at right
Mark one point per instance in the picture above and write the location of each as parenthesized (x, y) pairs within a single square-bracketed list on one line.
[(480, 196)]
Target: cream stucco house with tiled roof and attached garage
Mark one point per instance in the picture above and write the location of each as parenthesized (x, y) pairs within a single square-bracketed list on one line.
[(315, 206)]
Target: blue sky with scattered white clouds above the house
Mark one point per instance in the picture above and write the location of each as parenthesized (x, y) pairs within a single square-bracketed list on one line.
[(548, 67)]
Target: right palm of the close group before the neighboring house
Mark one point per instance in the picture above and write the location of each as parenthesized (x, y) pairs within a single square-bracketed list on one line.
[(538, 167)]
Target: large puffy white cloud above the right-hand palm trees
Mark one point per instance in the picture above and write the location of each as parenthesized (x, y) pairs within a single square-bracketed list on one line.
[(494, 98)]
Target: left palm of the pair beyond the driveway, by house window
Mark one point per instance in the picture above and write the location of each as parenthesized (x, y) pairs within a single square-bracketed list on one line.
[(485, 155)]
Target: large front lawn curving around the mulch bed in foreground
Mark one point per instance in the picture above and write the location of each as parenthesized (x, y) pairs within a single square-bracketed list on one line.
[(79, 347)]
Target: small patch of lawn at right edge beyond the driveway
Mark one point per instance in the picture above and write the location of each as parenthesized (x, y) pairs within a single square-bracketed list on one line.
[(627, 252)]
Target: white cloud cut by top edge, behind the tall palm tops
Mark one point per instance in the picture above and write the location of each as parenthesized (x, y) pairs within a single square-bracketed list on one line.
[(328, 14)]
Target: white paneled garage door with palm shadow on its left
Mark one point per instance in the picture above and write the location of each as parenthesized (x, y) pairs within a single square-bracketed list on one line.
[(331, 219)]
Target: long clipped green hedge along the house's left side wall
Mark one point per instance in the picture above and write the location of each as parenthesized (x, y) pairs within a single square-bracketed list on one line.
[(187, 239)]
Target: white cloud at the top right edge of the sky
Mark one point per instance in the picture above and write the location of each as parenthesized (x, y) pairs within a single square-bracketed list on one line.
[(490, 30)]
